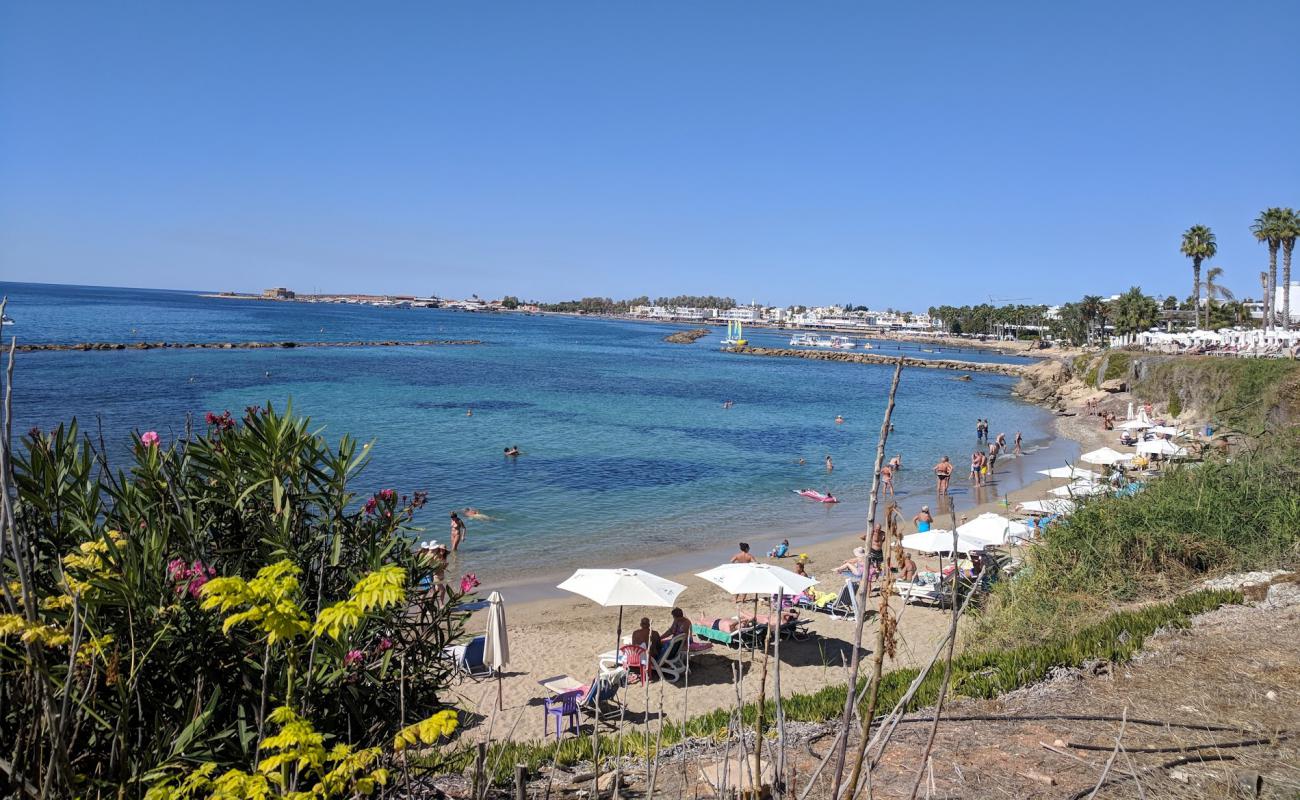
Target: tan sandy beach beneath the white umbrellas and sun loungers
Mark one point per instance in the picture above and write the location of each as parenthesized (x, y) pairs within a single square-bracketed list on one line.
[(565, 637)]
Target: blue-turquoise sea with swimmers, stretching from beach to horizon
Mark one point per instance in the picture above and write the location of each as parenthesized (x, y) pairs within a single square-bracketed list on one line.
[(629, 449)]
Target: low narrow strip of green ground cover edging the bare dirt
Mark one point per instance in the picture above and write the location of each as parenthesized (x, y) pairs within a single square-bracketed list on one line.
[(978, 673)]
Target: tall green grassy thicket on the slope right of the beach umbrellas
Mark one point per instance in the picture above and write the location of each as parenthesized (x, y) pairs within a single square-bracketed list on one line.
[(1220, 516)]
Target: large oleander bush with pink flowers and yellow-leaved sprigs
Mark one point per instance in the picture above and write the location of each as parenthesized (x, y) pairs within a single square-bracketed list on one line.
[(226, 599)]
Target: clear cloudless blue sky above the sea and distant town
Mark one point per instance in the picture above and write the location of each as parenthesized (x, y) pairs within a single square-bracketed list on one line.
[(890, 154)]
